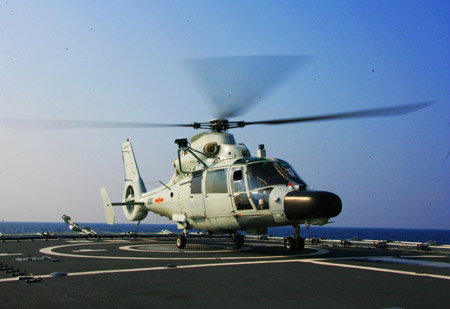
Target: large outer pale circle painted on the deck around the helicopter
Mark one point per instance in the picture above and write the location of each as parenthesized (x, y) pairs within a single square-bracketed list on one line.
[(50, 251)]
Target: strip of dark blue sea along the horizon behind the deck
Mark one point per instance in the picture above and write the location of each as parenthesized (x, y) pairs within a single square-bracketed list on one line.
[(340, 233)]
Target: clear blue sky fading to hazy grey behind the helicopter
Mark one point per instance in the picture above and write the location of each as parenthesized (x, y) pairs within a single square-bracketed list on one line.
[(122, 61)]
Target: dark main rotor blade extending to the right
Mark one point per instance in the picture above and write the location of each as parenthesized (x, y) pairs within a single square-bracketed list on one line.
[(378, 112)]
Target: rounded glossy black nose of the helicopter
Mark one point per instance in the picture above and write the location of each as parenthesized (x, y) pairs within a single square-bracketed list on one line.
[(311, 204)]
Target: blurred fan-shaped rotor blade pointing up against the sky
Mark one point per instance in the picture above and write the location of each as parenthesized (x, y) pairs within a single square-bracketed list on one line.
[(233, 84)]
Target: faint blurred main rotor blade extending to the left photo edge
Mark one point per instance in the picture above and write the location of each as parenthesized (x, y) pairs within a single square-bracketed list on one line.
[(58, 124)]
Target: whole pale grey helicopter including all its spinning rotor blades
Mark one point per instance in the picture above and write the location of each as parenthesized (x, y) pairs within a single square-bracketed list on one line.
[(217, 184)]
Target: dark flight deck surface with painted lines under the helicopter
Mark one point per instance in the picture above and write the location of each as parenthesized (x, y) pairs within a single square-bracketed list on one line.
[(213, 273)]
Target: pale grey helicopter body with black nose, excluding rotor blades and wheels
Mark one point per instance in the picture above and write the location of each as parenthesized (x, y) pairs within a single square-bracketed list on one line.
[(217, 186)]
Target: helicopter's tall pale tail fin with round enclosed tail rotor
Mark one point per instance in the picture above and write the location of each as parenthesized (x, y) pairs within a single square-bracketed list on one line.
[(134, 186)]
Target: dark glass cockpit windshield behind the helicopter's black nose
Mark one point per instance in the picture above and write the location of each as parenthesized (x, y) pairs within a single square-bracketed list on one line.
[(268, 173)]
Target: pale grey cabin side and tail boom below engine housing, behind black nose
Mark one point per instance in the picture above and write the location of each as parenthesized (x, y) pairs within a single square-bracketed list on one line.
[(212, 200)]
